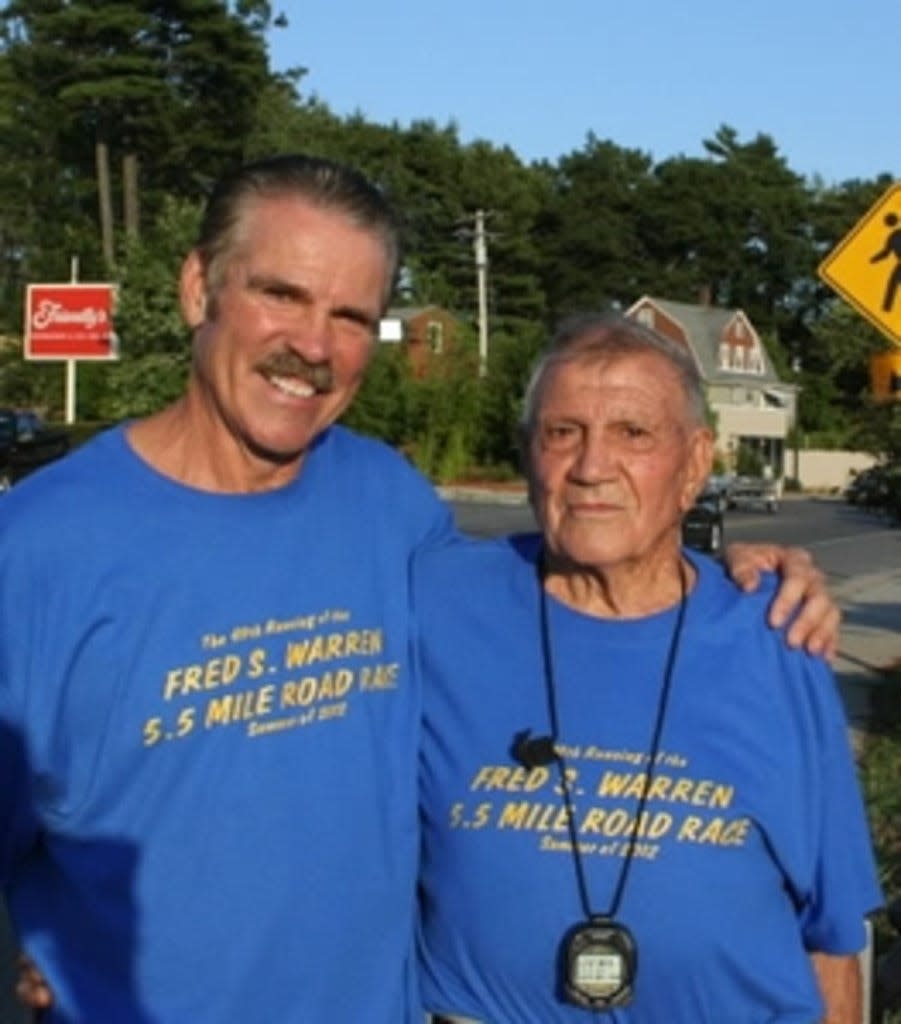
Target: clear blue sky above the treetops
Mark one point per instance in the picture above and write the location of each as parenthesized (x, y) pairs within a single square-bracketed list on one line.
[(824, 79)]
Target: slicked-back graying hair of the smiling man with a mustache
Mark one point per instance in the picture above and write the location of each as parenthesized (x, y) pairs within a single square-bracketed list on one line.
[(321, 183)]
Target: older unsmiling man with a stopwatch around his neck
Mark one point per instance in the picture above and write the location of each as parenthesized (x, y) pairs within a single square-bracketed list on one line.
[(636, 799)]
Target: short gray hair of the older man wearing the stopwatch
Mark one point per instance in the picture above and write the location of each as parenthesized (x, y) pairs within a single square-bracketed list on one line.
[(594, 336)]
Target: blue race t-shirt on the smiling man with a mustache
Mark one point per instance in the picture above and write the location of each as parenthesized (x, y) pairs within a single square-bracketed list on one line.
[(209, 734)]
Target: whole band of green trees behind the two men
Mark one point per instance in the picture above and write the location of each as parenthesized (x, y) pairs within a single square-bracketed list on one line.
[(183, 91)]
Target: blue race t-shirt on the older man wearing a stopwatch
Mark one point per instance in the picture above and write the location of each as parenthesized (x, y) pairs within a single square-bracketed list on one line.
[(752, 848)]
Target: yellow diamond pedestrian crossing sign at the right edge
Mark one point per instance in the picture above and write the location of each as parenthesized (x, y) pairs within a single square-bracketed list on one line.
[(866, 268)]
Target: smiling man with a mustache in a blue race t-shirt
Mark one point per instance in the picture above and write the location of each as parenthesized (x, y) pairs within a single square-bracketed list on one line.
[(208, 734)]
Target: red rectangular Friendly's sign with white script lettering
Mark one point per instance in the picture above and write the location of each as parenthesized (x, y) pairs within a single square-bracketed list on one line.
[(70, 322)]
